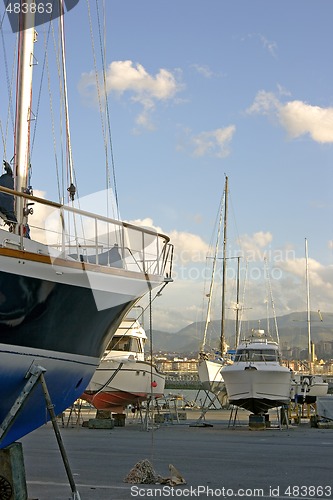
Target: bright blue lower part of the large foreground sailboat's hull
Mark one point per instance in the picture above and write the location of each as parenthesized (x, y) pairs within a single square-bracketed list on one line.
[(65, 377)]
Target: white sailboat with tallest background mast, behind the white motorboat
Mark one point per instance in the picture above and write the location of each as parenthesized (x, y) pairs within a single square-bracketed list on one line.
[(209, 366)]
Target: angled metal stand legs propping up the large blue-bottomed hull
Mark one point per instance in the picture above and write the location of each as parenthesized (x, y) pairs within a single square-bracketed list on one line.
[(34, 375)]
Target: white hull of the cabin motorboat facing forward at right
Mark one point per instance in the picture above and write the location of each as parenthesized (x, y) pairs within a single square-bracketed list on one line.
[(257, 388)]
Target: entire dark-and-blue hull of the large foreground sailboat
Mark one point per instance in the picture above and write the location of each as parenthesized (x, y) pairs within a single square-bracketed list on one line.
[(60, 316)]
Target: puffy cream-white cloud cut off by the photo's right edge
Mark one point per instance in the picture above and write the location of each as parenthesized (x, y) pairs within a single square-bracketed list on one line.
[(296, 117)]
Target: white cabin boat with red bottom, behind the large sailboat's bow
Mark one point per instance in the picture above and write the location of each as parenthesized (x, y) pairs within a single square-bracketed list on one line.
[(124, 377)]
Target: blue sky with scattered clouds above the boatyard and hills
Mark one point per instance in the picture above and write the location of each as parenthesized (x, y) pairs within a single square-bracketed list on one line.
[(198, 90)]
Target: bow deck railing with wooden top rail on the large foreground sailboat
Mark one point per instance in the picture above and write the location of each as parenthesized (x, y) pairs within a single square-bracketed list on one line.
[(68, 232)]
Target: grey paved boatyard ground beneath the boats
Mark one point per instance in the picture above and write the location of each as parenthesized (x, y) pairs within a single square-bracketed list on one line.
[(216, 461)]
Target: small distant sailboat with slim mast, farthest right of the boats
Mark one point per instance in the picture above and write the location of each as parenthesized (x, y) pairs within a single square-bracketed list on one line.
[(307, 386)]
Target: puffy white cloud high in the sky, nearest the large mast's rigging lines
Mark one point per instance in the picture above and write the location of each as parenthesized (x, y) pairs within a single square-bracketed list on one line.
[(145, 89)]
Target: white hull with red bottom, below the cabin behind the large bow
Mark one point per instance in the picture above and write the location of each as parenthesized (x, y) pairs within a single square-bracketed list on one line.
[(116, 385)]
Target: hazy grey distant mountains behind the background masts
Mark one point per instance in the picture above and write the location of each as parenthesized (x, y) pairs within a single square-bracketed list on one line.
[(292, 330)]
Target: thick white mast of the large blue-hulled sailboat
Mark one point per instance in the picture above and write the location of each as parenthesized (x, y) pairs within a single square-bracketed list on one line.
[(23, 108)]
